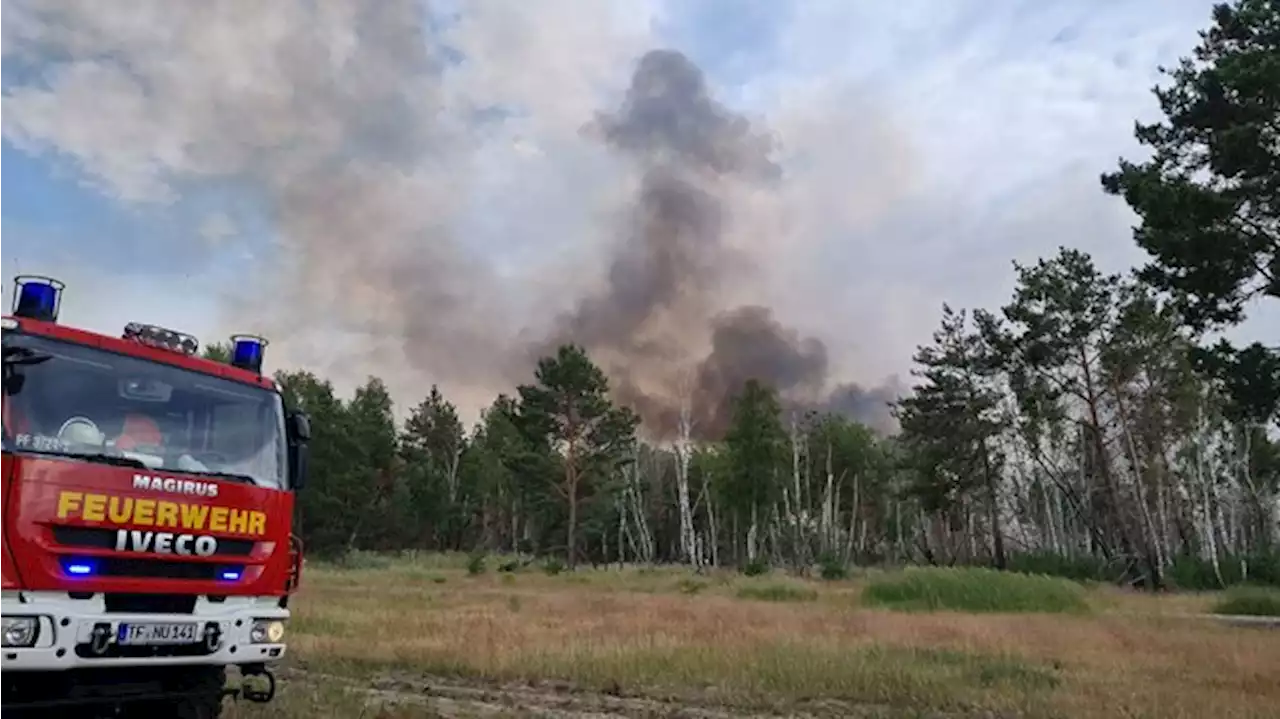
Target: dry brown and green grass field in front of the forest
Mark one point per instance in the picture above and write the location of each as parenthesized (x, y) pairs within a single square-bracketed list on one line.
[(423, 638)]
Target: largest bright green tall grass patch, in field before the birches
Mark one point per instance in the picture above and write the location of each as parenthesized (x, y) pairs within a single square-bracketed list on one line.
[(975, 590)]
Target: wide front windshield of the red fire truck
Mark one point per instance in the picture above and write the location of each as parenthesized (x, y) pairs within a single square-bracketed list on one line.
[(113, 409)]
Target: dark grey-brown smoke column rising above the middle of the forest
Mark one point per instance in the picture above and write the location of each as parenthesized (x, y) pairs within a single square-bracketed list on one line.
[(661, 328)]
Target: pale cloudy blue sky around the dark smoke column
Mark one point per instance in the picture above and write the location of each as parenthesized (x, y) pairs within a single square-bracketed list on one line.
[(929, 144)]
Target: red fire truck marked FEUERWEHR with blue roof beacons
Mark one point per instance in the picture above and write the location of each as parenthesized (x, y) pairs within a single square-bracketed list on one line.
[(147, 507)]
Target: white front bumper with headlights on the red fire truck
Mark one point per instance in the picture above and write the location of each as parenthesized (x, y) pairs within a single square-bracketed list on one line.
[(67, 625)]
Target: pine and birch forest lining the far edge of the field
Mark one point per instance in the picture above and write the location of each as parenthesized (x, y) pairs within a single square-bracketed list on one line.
[(1095, 427)]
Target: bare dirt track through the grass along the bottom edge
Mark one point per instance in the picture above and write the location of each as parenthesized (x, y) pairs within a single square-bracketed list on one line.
[(454, 699)]
